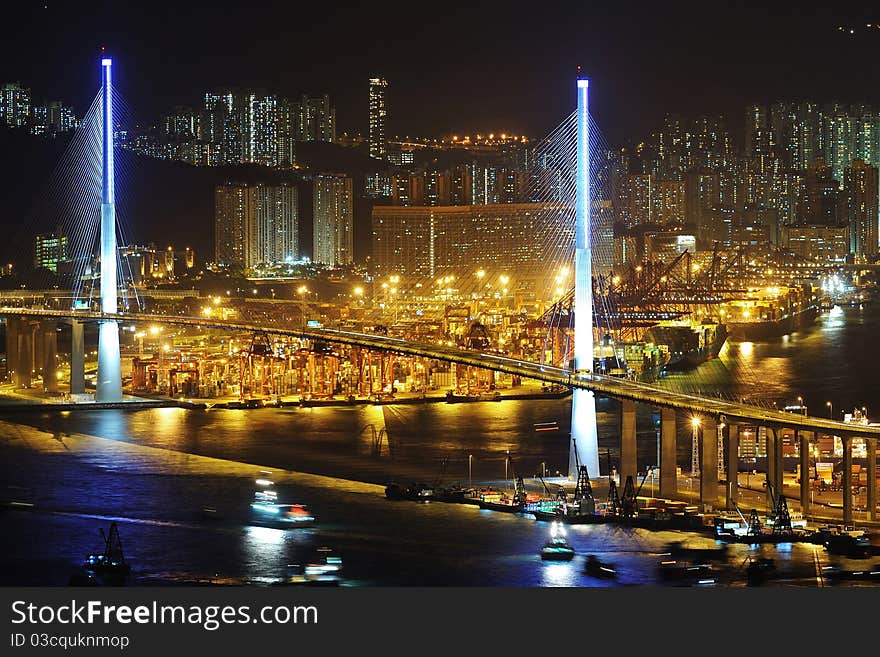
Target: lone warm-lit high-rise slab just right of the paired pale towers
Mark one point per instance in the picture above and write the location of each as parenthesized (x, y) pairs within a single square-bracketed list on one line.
[(333, 220)]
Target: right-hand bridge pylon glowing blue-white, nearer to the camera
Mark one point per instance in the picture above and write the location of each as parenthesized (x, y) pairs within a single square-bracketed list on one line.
[(584, 448)]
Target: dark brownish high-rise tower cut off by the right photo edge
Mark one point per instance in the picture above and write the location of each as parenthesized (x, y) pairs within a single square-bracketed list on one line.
[(860, 189)]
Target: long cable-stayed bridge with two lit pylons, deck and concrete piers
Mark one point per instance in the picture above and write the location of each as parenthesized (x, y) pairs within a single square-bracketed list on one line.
[(569, 179)]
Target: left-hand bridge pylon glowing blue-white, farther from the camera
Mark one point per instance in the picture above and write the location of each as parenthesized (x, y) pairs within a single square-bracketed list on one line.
[(109, 383)]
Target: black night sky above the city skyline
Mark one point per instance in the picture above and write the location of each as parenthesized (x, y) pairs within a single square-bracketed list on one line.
[(452, 67)]
